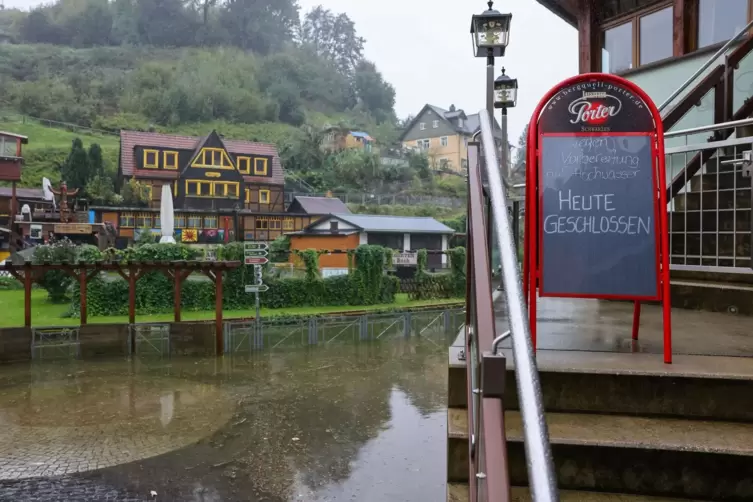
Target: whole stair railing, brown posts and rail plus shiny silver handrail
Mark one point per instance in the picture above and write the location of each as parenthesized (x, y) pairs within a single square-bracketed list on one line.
[(489, 477)]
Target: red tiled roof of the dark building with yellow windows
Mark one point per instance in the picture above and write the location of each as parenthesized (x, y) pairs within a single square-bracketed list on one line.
[(129, 140)]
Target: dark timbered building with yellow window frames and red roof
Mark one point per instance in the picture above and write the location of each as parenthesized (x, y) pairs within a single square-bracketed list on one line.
[(223, 190)]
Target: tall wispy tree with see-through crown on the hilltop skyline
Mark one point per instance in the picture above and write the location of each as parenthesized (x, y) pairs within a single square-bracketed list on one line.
[(333, 37)]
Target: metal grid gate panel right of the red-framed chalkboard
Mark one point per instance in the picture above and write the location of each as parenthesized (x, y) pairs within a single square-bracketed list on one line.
[(710, 217)]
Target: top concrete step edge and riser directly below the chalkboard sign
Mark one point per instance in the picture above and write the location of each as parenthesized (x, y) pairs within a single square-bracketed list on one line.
[(640, 384)]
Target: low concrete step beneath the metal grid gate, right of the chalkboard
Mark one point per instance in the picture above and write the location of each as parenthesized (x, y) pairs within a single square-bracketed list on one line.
[(733, 298)]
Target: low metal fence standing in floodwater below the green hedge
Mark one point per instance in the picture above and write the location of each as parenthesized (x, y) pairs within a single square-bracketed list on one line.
[(275, 334)]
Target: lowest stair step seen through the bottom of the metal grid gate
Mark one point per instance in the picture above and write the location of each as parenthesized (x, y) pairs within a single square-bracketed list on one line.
[(710, 244)]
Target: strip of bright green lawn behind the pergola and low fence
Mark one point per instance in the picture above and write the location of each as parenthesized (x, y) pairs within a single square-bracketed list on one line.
[(44, 313)]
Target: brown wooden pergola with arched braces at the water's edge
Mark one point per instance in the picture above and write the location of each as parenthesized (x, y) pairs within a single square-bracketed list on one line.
[(176, 271)]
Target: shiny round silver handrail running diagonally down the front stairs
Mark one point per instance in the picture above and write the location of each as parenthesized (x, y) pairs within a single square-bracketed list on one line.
[(538, 451)]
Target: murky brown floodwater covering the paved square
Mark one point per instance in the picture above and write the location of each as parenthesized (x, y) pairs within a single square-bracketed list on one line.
[(355, 422)]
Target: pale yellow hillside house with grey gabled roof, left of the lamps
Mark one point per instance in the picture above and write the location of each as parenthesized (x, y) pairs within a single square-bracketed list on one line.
[(443, 135)]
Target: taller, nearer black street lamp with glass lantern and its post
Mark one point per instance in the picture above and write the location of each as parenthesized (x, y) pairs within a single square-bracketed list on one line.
[(490, 32)]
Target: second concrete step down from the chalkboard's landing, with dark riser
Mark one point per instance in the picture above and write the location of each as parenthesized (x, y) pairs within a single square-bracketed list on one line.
[(643, 456)]
